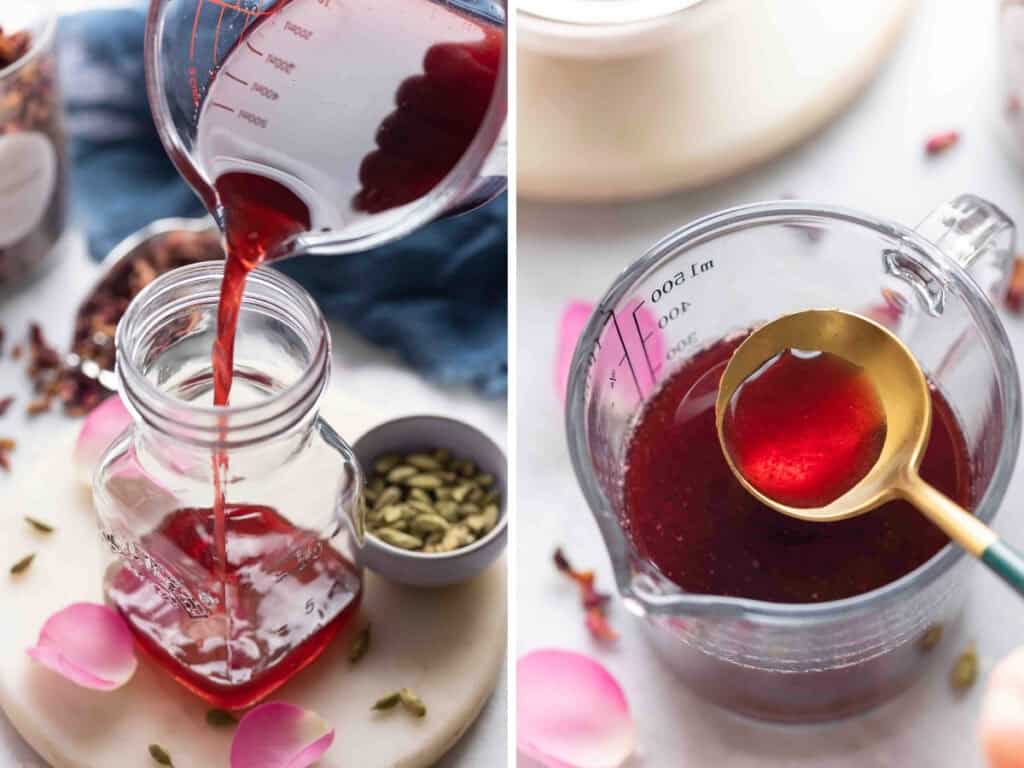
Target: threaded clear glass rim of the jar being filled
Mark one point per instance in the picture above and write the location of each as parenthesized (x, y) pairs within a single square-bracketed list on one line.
[(209, 424)]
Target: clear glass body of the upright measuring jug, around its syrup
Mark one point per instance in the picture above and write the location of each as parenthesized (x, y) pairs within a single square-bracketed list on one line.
[(722, 276)]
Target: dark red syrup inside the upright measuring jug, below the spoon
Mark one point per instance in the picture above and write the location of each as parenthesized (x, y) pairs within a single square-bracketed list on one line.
[(689, 515)]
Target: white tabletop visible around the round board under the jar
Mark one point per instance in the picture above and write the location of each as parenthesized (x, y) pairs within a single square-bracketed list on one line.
[(377, 378)]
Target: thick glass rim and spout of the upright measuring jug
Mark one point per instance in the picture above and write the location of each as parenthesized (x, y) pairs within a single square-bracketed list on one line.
[(761, 611)]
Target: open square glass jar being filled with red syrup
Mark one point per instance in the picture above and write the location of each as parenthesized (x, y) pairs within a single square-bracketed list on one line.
[(232, 626)]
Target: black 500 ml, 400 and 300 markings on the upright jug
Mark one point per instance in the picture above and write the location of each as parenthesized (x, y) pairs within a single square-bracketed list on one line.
[(670, 308)]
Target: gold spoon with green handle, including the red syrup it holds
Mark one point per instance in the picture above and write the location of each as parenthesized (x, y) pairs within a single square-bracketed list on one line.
[(826, 415)]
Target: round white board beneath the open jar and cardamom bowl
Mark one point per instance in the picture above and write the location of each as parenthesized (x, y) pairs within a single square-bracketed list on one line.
[(447, 645)]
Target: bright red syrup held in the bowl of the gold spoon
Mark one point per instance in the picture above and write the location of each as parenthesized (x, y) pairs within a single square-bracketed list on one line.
[(805, 429)]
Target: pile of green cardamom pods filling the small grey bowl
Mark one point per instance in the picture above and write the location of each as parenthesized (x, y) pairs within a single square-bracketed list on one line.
[(430, 501)]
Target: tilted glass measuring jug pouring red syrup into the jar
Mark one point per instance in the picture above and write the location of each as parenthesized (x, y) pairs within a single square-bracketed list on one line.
[(376, 118)]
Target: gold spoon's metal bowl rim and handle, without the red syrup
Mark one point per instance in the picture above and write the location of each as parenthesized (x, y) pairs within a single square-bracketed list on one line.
[(905, 395)]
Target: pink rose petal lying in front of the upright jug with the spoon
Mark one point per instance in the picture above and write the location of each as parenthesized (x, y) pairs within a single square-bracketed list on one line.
[(572, 713)]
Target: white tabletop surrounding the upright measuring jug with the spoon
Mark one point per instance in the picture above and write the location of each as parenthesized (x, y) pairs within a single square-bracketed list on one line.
[(872, 158)]
